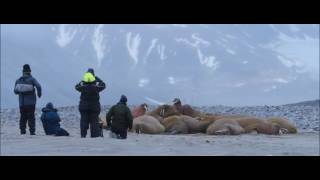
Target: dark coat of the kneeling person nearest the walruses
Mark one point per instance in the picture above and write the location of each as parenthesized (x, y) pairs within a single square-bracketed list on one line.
[(119, 117)]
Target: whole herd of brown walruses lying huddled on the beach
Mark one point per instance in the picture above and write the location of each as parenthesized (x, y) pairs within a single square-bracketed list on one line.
[(183, 119)]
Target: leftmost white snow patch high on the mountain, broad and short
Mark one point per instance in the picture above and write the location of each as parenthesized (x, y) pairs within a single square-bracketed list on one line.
[(65, 35)]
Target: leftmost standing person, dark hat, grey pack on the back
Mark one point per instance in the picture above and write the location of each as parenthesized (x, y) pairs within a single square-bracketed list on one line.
[(24, 87)]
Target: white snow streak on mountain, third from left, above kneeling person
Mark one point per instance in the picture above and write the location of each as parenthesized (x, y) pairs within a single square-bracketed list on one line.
[(133, 43)]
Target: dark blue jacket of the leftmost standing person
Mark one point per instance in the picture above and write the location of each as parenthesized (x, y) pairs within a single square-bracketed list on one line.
[(27, 98)]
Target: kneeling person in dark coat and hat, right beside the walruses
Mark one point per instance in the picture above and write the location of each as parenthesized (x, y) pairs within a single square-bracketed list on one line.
[(119, 118)]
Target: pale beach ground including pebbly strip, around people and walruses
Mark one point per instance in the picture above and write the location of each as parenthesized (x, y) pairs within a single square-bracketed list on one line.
[(306, 142)]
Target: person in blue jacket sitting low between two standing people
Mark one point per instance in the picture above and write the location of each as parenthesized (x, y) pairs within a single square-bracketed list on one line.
[(51, 121)]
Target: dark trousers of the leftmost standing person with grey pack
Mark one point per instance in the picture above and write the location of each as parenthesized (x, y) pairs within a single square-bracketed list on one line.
[(27, 116)]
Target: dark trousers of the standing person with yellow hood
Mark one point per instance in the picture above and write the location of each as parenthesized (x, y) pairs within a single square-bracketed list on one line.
[(90, 117)]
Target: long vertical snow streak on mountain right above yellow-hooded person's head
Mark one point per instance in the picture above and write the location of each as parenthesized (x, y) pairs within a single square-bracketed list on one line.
[(98, 43)]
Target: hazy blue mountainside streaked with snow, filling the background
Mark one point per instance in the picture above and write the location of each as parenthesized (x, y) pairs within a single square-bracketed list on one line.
[(201, 64)]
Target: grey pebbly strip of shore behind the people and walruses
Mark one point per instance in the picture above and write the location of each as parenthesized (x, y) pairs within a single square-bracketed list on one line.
[(306, 117)]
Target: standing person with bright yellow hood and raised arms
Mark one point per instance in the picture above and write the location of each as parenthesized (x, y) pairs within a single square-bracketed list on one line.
[(89, 105)]
